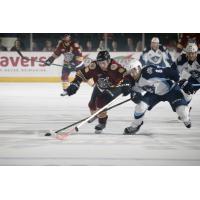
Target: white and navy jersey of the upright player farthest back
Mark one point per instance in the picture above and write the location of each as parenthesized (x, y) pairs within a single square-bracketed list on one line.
[(161, 57)]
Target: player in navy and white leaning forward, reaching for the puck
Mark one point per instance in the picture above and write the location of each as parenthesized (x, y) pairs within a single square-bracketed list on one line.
[(158, 84)]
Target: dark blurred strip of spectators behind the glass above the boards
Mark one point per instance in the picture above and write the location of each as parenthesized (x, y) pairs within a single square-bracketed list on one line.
[(99, 41)]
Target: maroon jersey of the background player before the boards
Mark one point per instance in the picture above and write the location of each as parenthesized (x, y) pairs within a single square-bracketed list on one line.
[(71, 52)]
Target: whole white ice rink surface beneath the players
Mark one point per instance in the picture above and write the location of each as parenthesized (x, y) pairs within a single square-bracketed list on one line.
[(28, 110)]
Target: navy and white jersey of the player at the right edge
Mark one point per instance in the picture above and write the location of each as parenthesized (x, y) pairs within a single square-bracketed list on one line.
[(188, 69)]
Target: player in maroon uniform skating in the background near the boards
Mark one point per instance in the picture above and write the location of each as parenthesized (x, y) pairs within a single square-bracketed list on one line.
[(73, 58)]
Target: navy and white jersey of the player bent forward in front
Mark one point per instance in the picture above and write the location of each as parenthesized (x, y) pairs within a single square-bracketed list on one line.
[(157, 80)]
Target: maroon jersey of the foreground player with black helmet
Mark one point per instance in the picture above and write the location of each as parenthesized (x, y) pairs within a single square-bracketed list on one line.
[(112, 77)]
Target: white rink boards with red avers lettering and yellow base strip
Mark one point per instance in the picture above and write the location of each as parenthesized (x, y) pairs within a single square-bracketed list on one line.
[(15, 69)]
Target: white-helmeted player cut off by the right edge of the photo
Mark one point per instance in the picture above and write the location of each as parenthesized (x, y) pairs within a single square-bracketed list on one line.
[(188, 66)]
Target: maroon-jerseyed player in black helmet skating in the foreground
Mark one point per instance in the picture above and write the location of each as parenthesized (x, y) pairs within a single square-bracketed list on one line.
[(107, 75)]
